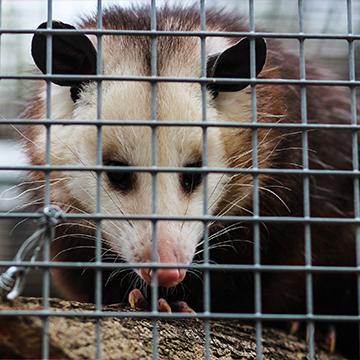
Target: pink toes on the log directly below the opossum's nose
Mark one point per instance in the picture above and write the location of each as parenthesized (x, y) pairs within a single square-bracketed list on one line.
[(137, 301)]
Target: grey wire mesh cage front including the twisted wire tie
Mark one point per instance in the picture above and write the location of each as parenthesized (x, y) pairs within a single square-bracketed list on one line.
[(35, 251)]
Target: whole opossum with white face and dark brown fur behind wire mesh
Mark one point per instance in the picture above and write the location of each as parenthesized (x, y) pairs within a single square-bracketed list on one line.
[(181, 194)]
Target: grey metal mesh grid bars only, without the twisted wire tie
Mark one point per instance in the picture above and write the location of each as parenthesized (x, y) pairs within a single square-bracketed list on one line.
[(257, 268)]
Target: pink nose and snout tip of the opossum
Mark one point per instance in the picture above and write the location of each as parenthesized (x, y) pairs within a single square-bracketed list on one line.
[(168, 253)]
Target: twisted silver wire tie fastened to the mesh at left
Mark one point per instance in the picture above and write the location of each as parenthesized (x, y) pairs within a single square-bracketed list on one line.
[(13, 279)]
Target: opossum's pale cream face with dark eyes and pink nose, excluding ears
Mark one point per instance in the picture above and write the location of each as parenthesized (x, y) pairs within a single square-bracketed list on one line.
[(131, 193)]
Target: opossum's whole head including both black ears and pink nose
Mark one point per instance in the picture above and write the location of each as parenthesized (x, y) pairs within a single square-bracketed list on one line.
[(126, 192)]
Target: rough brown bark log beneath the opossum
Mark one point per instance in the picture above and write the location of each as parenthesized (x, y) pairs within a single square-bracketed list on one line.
[(130, 339)]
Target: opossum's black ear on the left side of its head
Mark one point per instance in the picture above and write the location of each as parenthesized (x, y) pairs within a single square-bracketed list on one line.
[(72, 54)]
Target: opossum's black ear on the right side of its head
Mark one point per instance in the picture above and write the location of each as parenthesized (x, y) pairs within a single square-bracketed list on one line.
[(234, 62)]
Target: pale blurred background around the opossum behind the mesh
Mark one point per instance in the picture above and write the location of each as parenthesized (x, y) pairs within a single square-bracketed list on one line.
[(320, 16)]
